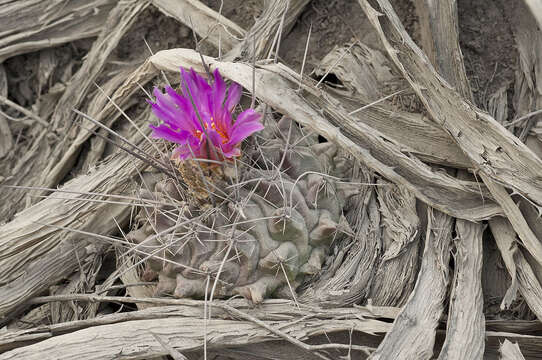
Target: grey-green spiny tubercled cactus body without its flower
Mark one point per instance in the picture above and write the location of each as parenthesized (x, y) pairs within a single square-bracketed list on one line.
[(270, 224)]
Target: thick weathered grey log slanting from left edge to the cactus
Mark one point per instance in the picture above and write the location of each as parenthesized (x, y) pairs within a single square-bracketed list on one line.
[(35, 255)]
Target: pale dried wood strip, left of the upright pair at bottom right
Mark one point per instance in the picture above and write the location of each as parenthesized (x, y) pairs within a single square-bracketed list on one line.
[(414, 330)]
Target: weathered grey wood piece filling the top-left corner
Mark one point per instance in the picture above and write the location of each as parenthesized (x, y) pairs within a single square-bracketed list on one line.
[(31, 25)]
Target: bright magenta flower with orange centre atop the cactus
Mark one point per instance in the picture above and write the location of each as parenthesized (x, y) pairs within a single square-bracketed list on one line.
[(182, 126)]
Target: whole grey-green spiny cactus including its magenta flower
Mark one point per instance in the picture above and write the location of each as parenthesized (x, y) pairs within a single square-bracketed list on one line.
[(253, 223)]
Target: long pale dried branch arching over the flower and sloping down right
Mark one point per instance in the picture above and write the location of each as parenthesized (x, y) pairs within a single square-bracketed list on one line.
[(458, 198)]
